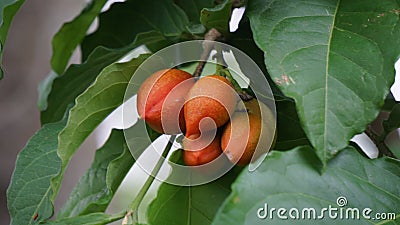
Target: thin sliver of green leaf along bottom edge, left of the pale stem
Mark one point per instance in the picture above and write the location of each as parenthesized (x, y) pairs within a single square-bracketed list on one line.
[(90, 219)]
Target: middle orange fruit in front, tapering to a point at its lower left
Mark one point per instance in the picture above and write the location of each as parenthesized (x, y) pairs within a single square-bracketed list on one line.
[(212, 96)]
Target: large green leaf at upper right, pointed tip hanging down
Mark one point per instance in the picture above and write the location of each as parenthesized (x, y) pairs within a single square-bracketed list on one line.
[(334, 58)]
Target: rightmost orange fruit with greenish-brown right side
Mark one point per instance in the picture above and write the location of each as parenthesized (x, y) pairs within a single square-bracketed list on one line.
[(248, 126)]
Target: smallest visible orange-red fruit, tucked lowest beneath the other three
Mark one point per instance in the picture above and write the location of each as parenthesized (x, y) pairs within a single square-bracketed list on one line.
[(205, 151)]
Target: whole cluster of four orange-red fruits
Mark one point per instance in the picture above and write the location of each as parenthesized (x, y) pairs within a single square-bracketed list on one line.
[(208, 111)]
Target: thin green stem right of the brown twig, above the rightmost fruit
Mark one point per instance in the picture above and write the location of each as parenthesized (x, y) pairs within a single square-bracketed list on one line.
[(222, 70)]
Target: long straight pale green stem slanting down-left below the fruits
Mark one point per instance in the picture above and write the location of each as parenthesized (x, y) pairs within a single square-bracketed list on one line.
[(134, 206)]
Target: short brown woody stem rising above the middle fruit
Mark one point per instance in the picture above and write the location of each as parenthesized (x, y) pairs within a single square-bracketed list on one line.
[(208, 44)]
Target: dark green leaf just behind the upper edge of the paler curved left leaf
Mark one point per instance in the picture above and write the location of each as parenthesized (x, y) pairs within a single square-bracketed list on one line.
[(77, 78)]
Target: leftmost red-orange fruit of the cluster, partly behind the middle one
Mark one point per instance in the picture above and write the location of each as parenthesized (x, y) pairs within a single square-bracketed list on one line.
[(161, 97)]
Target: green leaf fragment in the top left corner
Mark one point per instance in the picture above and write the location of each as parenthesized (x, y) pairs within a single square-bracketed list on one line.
[(8, 9)]
